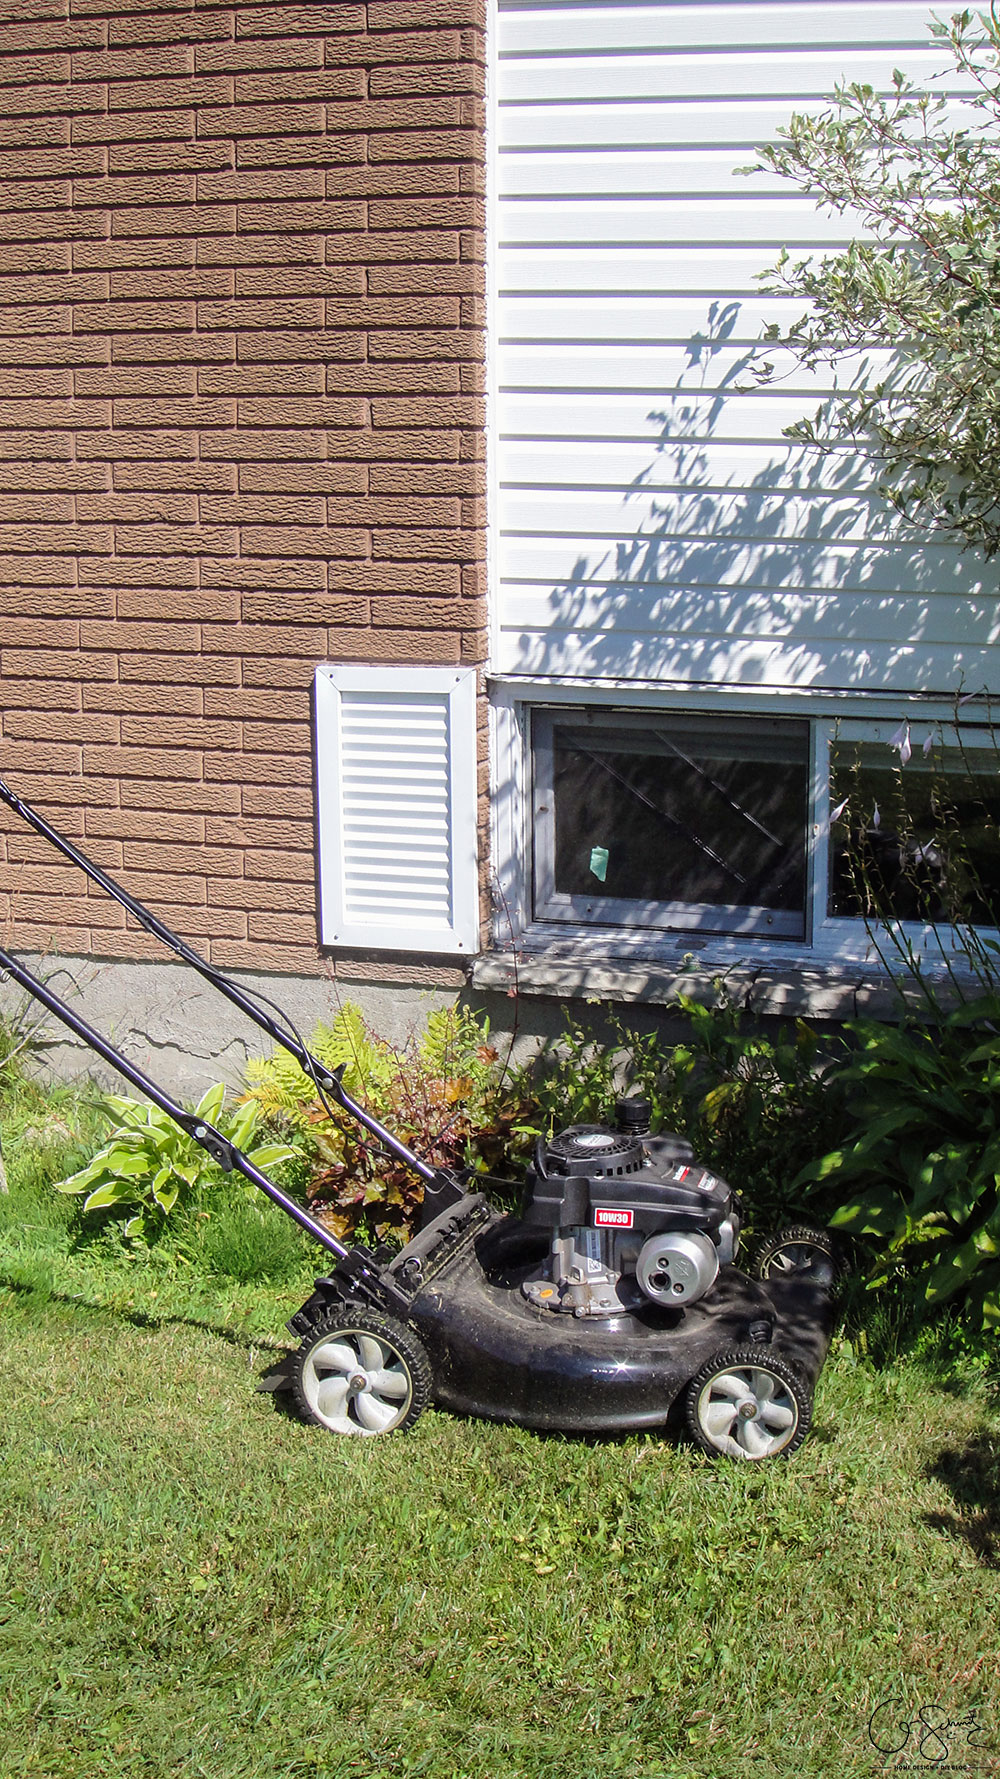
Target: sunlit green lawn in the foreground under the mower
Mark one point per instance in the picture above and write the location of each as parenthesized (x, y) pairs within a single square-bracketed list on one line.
[(195, 1584)]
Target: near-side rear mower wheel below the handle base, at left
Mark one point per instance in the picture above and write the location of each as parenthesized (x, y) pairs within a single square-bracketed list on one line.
[(360, 1372)]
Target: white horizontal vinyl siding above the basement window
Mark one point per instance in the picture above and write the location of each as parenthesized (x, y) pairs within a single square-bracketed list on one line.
[(654, 526)]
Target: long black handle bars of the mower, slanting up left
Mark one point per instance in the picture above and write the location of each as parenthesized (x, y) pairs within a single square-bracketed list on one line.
[(327, 1081)]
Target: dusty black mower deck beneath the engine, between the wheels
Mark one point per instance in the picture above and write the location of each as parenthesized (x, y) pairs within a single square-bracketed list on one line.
[(499, 1358)]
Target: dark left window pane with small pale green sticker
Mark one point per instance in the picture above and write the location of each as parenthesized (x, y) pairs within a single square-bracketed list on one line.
[(682, 810)]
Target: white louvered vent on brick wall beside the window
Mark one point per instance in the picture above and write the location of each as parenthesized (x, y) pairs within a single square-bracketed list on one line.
[(396, 759)]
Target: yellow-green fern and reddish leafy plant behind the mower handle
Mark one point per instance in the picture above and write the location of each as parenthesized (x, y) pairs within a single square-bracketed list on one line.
[(440, 1095)]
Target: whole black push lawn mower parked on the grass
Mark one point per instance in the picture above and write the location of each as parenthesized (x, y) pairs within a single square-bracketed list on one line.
[(613, 1303)]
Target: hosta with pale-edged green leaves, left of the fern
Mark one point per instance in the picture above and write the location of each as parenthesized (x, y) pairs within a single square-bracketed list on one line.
[(154, 1166)]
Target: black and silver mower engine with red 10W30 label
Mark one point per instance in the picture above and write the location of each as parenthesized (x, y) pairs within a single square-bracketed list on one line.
[(633, 1220)]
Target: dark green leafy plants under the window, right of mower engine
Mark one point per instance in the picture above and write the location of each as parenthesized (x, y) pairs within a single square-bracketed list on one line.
[(892, 1134)]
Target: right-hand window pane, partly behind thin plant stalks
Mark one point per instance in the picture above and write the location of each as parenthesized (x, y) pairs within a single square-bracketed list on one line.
[(917, 841)]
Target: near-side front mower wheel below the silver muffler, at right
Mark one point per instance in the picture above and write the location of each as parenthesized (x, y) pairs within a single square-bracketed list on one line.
[(748, 1403)]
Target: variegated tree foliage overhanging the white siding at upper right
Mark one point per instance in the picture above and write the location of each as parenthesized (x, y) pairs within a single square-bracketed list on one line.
[(923, 175)]
